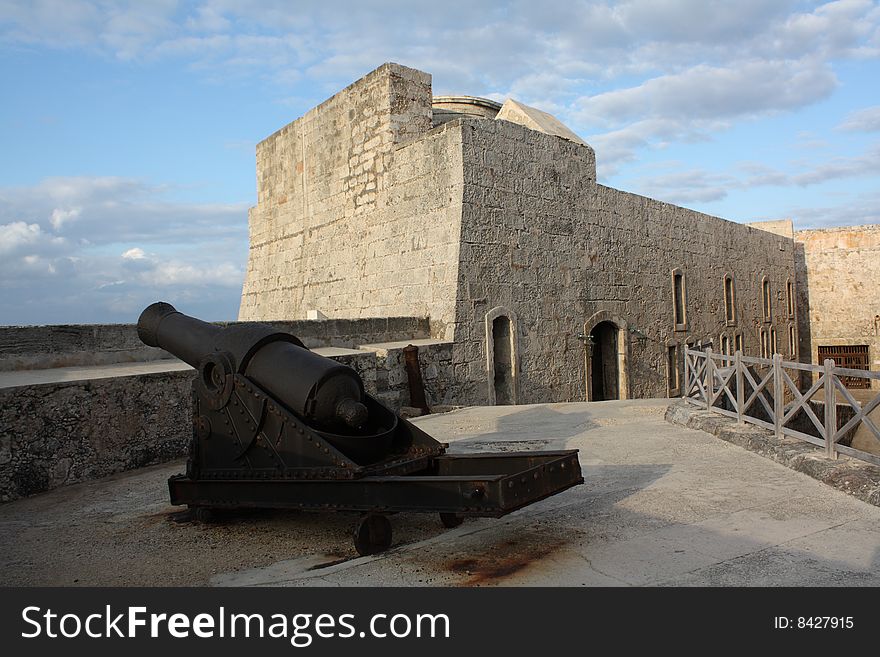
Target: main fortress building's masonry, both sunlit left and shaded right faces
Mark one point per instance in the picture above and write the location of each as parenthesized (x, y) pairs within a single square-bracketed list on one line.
[(500, 235)]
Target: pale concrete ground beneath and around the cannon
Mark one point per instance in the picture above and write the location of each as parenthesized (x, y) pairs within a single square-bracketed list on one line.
[(662, 505)]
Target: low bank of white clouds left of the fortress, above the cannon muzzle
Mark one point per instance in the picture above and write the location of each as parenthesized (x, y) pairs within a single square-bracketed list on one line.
[(195, 252)]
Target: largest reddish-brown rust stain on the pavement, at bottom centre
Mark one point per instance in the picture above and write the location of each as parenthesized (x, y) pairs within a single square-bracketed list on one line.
[(508, 559)]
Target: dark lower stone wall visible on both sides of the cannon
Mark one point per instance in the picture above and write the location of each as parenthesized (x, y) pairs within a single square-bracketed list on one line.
[(53, 434)]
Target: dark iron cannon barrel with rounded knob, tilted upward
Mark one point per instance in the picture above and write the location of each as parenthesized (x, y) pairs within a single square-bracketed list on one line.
[(323, 392)]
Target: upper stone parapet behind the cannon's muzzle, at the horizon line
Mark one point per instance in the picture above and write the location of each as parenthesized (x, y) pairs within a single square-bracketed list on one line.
[(44, 347)]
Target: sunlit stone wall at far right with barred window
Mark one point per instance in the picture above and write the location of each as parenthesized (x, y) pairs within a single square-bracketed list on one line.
[(842, 268)]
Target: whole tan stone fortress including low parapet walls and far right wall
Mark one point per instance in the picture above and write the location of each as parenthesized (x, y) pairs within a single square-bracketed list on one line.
[(476, 231)]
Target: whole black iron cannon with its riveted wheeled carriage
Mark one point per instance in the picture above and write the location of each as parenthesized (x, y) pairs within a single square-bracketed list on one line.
[(276, 425)]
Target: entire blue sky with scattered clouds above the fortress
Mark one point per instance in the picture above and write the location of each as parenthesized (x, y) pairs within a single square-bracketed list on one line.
[(128, 128)]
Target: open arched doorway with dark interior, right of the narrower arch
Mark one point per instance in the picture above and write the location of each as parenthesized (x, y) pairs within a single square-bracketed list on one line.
[(607, 348)]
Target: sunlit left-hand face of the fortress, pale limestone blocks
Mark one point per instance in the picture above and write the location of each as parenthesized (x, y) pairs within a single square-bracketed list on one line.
[(354, 218)]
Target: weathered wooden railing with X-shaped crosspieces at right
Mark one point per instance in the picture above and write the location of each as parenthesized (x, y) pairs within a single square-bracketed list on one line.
[(761, 391)]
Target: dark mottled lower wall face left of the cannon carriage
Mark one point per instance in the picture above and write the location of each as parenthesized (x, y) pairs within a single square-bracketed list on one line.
[(61, 433)]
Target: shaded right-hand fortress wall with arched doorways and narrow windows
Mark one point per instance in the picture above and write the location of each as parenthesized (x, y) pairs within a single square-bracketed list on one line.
[(542, 240)]
